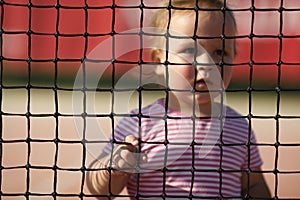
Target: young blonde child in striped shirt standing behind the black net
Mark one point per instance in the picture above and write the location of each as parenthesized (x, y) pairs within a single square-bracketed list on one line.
[(186, 145)]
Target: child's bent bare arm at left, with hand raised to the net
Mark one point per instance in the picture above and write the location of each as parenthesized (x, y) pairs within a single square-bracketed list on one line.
[(98, 180)]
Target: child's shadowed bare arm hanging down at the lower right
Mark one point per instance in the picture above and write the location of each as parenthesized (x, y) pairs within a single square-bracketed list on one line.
[(257, 187)]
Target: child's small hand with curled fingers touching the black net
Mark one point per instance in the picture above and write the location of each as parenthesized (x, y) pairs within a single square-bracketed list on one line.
[(125, 158)]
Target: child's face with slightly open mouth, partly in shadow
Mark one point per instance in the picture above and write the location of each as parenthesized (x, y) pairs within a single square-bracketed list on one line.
[(187, 76)]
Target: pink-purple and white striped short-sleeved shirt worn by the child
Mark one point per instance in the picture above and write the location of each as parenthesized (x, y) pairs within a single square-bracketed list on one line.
[(189, 157)]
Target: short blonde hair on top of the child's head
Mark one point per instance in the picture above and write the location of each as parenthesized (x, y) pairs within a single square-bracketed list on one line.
[(170, 8)]
